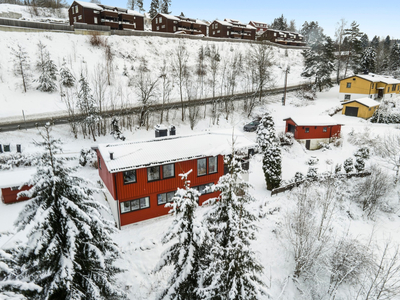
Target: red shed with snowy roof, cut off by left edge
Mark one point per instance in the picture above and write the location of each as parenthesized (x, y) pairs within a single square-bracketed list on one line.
[(12, 182)]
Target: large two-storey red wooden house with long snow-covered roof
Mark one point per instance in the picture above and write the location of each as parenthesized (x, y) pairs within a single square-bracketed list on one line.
[(141, 177)]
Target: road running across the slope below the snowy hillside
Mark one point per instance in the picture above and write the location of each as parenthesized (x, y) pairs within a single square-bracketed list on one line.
[(62, 117)]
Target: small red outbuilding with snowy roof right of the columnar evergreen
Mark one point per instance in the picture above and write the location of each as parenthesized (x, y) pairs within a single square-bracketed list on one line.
[(312, 131)]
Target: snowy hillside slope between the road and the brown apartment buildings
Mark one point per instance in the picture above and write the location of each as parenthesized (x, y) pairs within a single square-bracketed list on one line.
[(129, 54)]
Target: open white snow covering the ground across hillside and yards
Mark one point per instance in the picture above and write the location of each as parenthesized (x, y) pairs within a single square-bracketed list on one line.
[(141, 243)]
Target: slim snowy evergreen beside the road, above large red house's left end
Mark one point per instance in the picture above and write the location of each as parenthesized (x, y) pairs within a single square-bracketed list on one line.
[(88, 106)]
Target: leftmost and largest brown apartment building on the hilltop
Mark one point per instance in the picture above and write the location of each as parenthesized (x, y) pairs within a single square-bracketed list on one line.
[(98, 14)]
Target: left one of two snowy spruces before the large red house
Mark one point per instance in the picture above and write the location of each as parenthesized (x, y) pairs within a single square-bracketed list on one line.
[(187, 252)]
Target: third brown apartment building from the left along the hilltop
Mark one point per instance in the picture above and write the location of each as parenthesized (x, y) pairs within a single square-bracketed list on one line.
[(232, 29)]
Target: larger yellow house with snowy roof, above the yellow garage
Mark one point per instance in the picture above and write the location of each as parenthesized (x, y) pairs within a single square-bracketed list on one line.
[(368, 85)]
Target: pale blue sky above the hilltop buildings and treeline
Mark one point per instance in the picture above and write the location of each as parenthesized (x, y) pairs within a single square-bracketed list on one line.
[(374, 19)]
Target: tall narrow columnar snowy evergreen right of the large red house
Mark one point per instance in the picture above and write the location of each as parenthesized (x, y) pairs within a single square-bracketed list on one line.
[(270, 148)]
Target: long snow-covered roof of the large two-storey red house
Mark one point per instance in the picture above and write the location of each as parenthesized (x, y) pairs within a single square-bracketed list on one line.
[(140, 154)]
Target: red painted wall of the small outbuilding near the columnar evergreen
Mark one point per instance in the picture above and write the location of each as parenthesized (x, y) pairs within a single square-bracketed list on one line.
[(315, 132)]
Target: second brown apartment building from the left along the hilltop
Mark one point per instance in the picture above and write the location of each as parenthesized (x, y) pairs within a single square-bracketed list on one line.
[(174, 24)]
